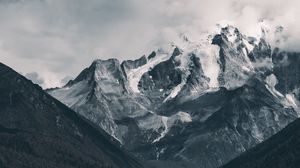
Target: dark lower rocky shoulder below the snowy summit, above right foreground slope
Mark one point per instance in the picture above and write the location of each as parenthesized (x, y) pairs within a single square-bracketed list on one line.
[(223, 124)]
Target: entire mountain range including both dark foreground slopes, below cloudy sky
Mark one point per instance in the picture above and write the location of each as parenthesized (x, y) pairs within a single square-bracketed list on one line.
[(229, 100)]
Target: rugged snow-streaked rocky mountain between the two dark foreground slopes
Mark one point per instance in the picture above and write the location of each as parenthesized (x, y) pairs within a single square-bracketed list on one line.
[(201, 102)]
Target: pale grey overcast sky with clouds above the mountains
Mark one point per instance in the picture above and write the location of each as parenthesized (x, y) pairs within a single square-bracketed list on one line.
[(51, 40)]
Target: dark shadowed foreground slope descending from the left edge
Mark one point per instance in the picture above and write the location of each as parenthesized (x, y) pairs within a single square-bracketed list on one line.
[(37, 131)]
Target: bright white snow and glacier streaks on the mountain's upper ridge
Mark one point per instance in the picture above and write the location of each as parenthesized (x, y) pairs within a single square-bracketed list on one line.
[(208, 54)]
